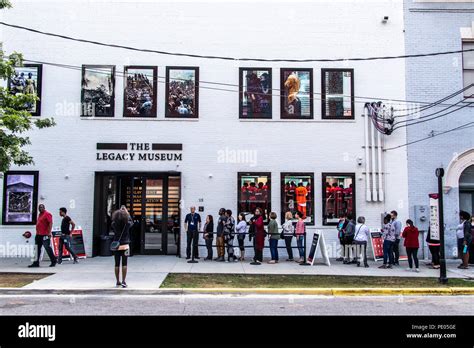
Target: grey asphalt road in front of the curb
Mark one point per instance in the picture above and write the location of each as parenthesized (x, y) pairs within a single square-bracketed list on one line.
[(233, 305)]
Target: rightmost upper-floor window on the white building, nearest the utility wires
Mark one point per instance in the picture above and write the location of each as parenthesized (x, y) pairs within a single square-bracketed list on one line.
[(337, 93)]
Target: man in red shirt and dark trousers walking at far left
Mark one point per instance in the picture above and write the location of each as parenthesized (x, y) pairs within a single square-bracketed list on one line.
[(44, 225)]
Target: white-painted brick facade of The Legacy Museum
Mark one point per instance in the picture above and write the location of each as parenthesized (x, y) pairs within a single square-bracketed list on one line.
[(66, 155)]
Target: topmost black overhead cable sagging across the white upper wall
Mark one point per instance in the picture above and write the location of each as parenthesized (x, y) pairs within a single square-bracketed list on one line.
[(200, 56)]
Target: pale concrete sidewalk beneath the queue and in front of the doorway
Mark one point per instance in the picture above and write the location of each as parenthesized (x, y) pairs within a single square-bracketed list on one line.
[(148, 272)]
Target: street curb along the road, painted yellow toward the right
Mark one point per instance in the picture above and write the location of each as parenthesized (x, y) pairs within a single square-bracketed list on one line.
[(450, 291)]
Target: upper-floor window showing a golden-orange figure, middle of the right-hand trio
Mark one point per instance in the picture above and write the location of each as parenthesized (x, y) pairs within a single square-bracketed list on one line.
[(296, 93)]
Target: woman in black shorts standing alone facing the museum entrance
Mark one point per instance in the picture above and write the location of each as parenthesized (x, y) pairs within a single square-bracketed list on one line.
[(120, 246)]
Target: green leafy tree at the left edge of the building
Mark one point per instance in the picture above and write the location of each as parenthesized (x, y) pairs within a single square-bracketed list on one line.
[(15, 119)]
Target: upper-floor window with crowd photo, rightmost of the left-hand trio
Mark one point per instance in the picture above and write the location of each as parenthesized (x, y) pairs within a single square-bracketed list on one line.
[(182, 92)]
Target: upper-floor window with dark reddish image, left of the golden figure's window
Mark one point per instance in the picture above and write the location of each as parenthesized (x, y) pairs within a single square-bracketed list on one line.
[(255, 96)]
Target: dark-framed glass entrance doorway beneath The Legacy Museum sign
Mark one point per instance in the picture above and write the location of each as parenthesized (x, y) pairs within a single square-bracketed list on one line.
[(152, 200)]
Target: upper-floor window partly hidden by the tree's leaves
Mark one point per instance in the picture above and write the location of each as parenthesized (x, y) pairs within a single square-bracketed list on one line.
[(27, 80)]
